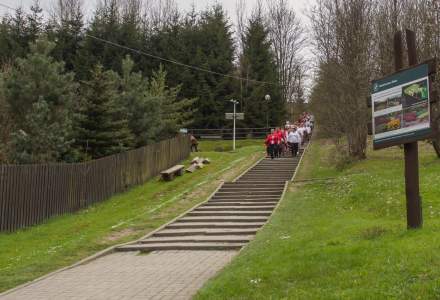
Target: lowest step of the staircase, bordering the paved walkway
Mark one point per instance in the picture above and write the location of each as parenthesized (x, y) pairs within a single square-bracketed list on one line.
[(181, 246)]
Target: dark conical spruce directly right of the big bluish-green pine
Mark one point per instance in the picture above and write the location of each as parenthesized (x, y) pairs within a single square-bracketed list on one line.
[(104, 126)]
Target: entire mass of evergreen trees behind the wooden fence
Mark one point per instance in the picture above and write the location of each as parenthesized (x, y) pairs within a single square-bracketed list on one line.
[(146, 101)]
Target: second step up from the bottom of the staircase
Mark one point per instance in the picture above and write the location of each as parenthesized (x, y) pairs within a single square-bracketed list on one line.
[(200, 239)]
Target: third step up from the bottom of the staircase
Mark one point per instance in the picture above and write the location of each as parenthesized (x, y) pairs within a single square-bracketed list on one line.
[(205, 232)]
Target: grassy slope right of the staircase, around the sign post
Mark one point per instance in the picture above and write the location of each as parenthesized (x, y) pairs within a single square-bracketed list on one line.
[(344, 238)]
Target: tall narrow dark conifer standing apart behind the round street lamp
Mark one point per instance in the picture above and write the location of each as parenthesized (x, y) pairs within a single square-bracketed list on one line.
[(258, 63)]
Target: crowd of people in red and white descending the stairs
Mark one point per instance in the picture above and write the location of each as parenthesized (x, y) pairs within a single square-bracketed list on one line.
[(282, 141)]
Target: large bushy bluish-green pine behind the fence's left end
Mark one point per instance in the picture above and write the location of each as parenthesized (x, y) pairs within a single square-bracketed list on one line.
[(41, 98)]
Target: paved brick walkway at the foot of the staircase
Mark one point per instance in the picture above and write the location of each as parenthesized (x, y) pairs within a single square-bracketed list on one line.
[(158, 275)]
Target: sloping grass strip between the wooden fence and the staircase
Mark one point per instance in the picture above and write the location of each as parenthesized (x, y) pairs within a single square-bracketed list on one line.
[(61, 241)]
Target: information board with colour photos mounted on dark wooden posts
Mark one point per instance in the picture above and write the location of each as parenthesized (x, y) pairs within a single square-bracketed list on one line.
[(401, 108)]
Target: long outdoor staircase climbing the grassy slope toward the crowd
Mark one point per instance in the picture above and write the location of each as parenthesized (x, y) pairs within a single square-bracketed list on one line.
[(231, 217)]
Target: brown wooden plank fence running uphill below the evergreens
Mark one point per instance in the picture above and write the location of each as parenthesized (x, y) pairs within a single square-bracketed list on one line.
[(30, 194)]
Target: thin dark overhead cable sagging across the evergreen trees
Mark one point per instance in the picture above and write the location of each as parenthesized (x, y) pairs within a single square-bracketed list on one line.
[(140, 52)]
